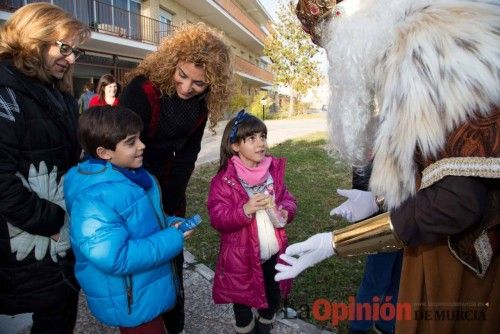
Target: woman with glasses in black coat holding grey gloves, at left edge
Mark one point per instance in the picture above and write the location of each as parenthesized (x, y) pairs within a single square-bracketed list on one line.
[(38, 120)]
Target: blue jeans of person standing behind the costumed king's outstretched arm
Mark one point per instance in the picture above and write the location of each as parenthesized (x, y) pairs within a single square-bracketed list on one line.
[(381, 278)]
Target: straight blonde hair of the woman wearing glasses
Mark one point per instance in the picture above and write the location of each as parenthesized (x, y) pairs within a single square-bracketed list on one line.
[(32, 29)]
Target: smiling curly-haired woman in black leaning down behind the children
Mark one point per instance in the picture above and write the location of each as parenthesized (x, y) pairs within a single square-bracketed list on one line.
[(175, 90)]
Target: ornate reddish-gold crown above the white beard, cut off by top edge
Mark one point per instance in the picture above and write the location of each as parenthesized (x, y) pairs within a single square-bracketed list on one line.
[(312, 12)]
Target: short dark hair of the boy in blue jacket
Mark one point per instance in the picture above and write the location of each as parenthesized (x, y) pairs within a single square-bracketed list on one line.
[(106, 126)]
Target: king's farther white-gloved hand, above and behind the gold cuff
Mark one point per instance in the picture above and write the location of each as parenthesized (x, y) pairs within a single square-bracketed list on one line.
[(359, 205)]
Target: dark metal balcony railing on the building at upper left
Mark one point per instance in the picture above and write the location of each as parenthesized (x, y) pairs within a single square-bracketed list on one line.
[(107, 19)]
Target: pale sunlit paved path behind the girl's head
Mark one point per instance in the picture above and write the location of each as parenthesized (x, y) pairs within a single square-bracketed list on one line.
[(278, 131)]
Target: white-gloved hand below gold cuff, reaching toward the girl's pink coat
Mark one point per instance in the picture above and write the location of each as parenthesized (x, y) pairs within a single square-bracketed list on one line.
[(309, 252)]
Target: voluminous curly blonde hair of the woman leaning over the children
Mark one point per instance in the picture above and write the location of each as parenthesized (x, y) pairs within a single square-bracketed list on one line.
[(198, 44)]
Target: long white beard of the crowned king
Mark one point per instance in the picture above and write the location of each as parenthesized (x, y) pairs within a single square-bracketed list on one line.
[(353, 42)]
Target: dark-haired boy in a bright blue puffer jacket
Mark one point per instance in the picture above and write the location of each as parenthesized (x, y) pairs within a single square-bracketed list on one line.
[(120, 236)]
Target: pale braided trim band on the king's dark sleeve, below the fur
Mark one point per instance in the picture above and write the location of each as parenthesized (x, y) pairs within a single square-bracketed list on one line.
[(460, 166)]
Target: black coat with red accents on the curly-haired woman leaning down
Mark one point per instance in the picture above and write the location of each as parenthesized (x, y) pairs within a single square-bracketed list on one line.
[(173, 130)]
